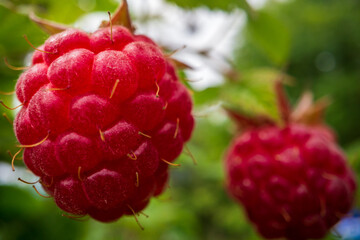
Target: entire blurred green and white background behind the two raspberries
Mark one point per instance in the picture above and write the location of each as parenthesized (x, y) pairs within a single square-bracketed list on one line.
[(237, 49)]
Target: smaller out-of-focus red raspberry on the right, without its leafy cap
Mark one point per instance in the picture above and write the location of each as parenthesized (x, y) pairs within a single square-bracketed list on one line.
[(293, 181)]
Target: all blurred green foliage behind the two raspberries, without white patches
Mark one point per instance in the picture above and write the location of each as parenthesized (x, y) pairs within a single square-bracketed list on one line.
[(315, 42)]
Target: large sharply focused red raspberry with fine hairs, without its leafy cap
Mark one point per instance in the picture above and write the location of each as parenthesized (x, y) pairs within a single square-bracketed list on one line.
[(101, 115)]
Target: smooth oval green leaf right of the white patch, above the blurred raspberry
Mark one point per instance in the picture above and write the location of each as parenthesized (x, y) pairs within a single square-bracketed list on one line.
[(270, 36)]
